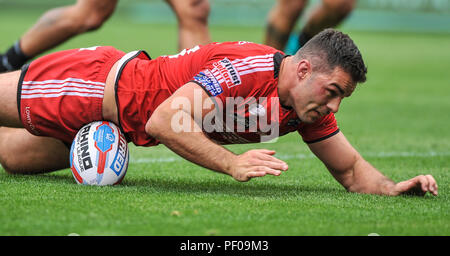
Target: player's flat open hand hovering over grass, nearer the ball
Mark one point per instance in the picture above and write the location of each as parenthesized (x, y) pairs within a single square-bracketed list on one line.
[(257, 163)]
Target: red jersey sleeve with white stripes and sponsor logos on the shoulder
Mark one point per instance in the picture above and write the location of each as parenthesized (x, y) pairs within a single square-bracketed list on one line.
[(236, 69)]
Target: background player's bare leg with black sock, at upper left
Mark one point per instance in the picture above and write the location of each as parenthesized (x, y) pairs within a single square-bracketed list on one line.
[(56, 26)]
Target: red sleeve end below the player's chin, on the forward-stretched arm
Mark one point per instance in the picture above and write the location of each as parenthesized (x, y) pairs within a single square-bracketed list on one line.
[(320, 130)]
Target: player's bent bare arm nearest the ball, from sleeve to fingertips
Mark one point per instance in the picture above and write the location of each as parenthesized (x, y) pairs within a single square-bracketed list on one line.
[(187, 139)]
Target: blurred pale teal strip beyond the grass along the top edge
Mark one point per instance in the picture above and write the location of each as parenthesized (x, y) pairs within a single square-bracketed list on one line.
[(379, 15)]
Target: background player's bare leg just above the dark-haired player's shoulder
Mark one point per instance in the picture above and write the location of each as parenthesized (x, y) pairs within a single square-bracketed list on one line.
[(281, 20)]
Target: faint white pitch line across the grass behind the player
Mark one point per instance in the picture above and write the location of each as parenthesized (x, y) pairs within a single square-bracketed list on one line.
[(306, 156)]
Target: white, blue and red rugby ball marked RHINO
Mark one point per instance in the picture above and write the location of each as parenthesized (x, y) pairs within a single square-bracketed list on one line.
[(99, 154)]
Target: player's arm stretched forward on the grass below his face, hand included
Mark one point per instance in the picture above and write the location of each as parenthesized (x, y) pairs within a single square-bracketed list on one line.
[(357, 175)]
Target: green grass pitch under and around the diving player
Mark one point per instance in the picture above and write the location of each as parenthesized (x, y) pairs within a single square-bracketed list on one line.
[(399, 120)]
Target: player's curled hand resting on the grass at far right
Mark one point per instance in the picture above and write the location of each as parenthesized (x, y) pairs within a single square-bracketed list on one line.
[(418, 186)]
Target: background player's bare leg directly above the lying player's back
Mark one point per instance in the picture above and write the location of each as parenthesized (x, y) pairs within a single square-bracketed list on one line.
[(192, 18)]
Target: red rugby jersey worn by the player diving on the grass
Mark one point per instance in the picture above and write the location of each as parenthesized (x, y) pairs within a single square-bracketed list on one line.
[(240, 77)]
